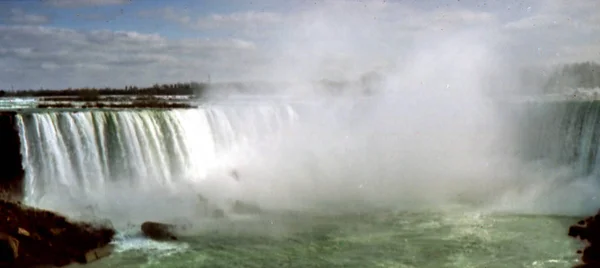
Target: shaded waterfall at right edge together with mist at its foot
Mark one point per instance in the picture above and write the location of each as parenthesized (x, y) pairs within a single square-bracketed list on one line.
[(555, 146)]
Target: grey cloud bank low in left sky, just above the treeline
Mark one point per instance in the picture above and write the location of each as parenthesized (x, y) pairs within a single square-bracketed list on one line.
[(35, 56)]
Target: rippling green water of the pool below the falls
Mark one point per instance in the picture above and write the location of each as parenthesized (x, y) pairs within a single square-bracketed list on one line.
[(382, 239)]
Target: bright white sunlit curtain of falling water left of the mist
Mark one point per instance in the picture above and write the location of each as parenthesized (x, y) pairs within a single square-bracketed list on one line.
[(92, 157)]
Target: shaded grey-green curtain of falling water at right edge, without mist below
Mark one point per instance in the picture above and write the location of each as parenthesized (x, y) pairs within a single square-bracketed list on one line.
[(563, 134)]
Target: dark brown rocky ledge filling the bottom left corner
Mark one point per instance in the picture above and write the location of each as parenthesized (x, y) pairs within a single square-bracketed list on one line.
[(31, 237)]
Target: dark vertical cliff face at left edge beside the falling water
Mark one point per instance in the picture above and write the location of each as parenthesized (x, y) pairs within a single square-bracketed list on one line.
[(11, 170)]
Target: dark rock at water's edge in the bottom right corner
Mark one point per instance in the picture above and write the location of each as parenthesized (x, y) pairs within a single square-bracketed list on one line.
[(588, 230)]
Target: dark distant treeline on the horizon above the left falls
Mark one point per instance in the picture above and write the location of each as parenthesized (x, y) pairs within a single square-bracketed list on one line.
[(91, 94)]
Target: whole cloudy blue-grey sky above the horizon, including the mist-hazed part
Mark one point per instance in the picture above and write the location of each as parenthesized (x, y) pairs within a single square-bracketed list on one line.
[(99, 43)]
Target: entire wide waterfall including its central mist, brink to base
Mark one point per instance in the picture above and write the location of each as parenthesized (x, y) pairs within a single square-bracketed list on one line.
[(379, 151)]
